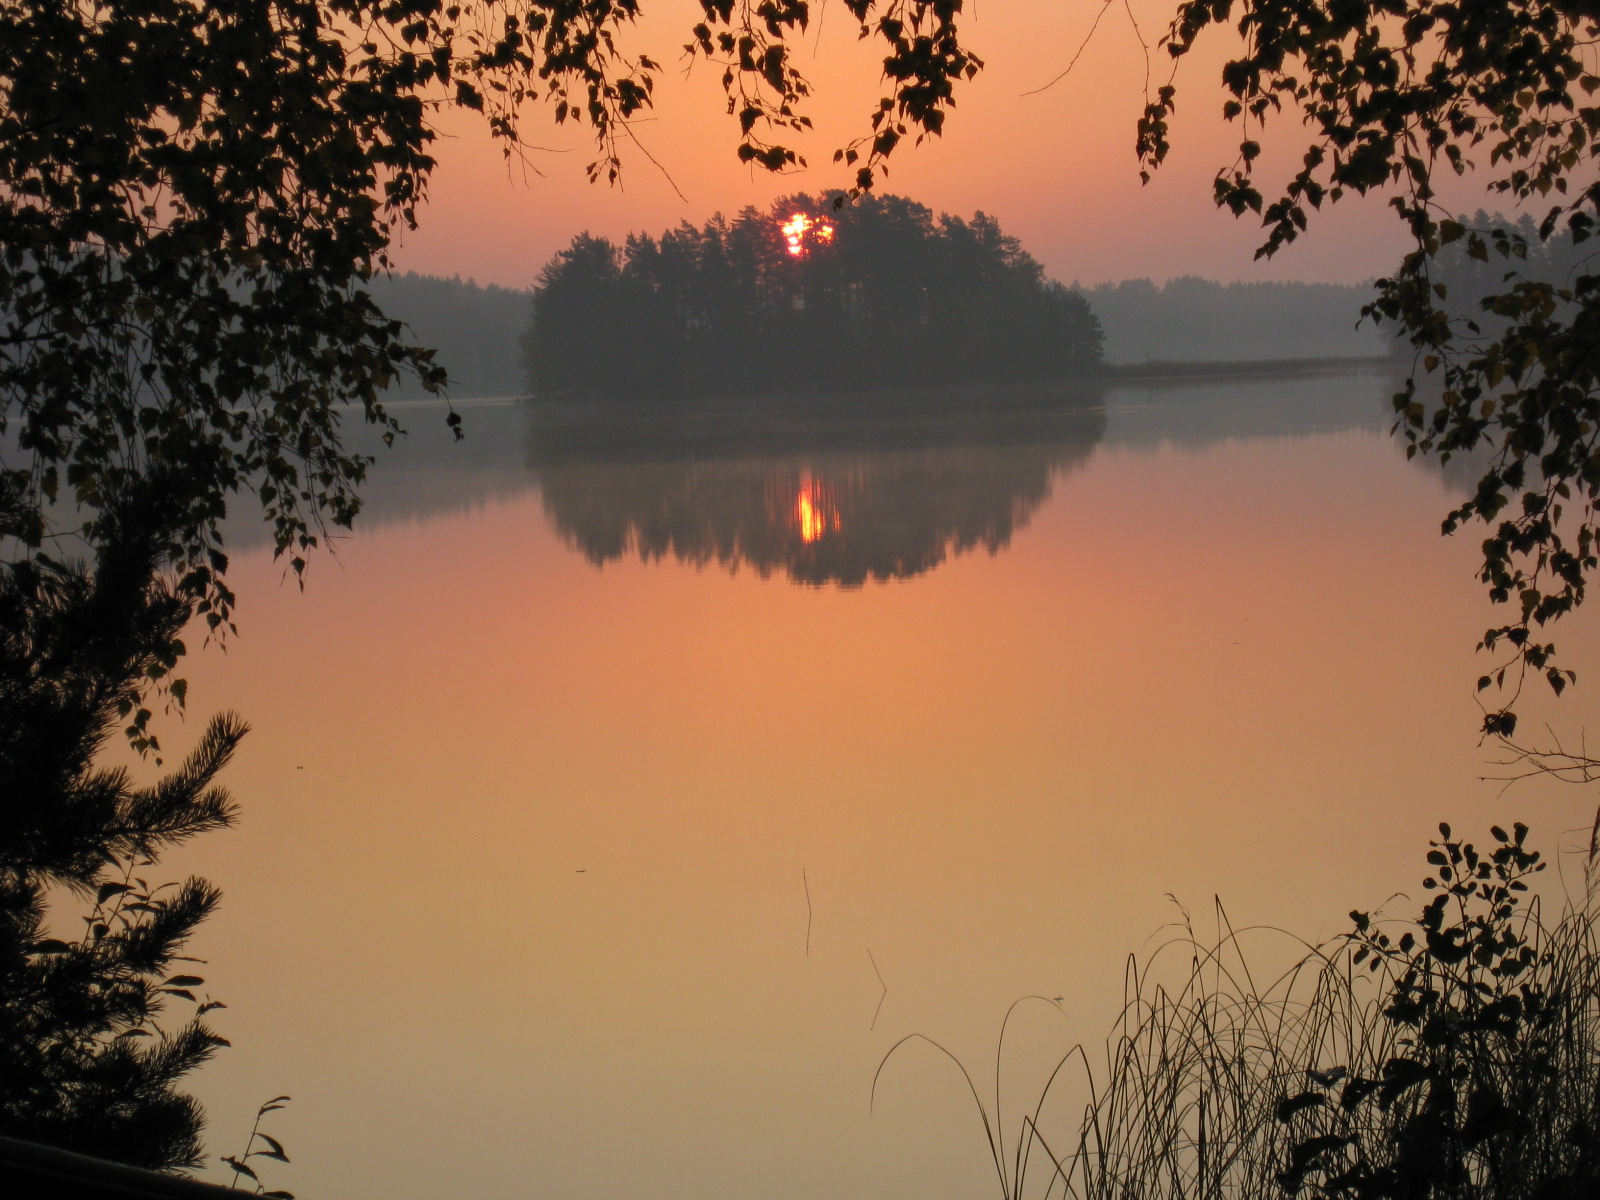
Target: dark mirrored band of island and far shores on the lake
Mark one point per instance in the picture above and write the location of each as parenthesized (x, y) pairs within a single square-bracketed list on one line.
[(849, 490)]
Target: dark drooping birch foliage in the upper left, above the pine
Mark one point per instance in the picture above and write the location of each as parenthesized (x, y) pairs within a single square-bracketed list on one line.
[(194, 201)]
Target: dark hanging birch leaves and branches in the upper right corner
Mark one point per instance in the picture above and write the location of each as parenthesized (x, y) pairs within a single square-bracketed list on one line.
[(1394, 94)]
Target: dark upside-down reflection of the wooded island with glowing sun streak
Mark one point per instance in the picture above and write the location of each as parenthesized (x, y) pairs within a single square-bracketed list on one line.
[(822, 502)]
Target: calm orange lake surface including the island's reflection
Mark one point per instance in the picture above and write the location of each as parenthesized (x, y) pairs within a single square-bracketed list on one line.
[(607, 822)]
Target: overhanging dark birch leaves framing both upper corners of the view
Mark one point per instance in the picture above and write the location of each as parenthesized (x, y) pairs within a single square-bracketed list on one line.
[(193, 198)]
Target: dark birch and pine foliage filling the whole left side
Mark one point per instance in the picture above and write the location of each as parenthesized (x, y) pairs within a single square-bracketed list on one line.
[(194, 201)]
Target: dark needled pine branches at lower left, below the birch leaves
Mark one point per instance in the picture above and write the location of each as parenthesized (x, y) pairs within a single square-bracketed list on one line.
[(84, 1063)]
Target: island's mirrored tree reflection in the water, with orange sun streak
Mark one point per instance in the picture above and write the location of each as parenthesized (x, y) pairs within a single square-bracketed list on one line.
[(822, 518)]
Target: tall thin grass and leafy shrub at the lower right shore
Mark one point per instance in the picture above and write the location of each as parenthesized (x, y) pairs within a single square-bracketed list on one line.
[(1457, 1055)]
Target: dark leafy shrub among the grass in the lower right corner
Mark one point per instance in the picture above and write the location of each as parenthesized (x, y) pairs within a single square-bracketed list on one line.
[(1490, 1086)]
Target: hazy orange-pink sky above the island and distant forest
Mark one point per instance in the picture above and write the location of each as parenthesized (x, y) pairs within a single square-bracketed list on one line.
[(1057, 169)]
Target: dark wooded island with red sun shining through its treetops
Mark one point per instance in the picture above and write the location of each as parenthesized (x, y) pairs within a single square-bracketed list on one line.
[(804, 295)]
